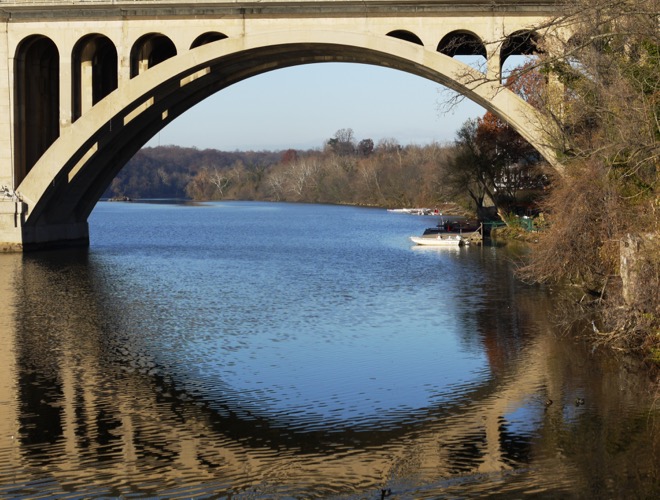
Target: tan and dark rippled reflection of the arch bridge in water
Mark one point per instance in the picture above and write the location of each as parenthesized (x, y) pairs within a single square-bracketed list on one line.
[(103, 437)]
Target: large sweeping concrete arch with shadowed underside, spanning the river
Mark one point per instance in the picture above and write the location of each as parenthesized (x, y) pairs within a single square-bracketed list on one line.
[(65, 184)]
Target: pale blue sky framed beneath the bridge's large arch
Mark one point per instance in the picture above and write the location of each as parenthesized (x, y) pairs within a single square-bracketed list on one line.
[(304, 106)]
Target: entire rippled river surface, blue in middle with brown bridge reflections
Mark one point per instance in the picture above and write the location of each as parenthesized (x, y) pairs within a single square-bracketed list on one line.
[(257, 350)]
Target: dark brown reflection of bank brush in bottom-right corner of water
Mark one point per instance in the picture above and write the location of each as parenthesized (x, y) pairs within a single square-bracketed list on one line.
[(613, 439)]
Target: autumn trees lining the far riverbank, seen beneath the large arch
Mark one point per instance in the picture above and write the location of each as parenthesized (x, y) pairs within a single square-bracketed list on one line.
[(346, 171)]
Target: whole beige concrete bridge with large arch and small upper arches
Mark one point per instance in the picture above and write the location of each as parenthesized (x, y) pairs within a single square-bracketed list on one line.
[(88, 82)]
